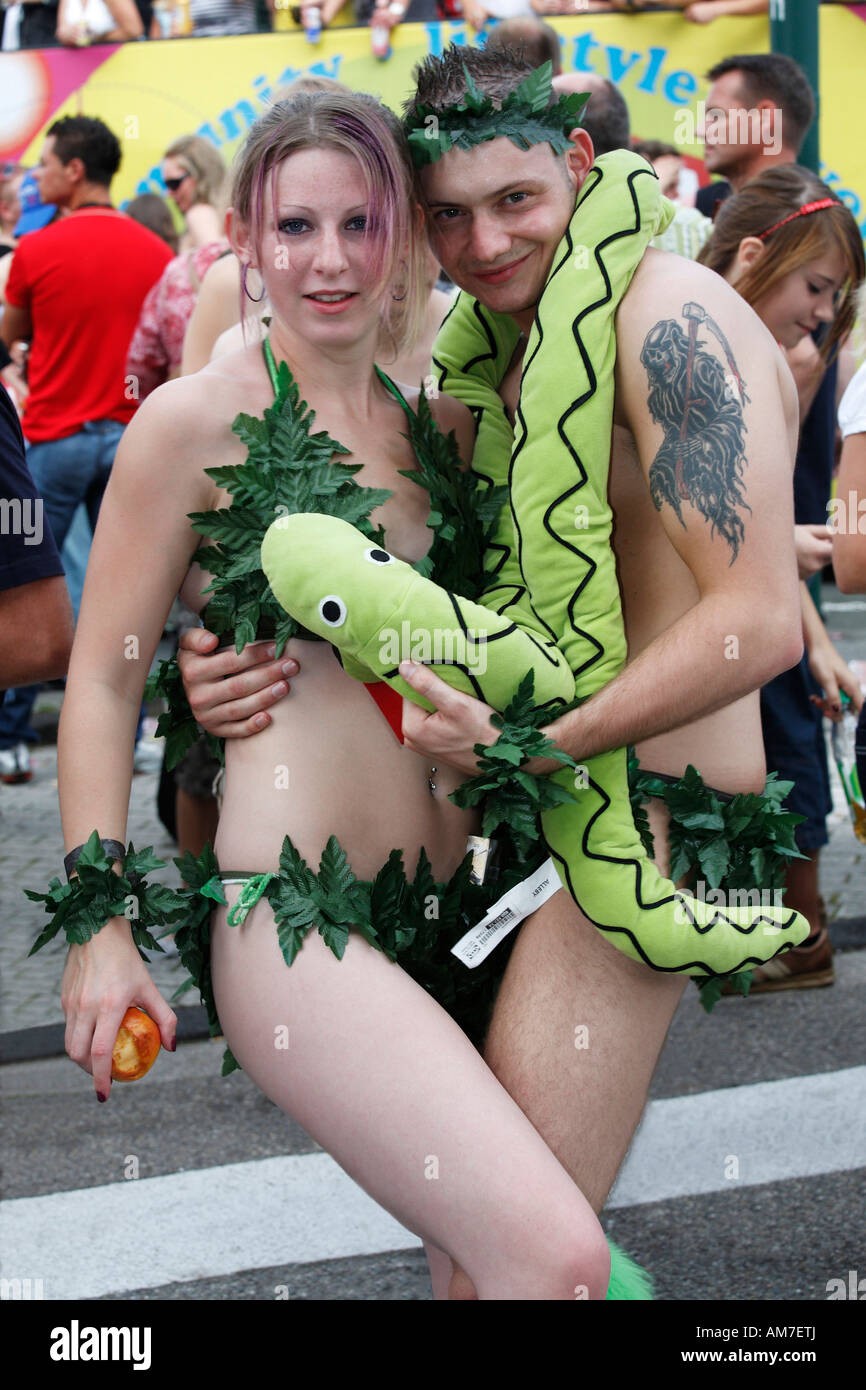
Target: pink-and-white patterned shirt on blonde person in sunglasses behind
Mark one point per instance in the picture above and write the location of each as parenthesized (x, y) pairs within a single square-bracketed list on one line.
[(158, 343)]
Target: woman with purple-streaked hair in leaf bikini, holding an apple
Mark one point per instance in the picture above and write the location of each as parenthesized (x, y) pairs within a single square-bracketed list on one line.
[(376, 1071)]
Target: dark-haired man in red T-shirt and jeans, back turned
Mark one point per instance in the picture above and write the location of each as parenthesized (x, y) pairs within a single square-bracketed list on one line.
[(76, 293)]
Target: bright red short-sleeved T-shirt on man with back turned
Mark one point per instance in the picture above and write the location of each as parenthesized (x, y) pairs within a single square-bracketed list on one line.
[(83, 281)]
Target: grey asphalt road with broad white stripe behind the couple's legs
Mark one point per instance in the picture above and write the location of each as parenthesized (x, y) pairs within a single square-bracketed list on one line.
[(230, 1200)]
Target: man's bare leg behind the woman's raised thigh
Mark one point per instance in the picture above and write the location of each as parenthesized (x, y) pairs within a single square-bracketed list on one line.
[(578, 1032)]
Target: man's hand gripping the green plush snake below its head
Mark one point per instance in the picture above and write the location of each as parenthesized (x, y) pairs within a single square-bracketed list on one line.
[(452, 730)]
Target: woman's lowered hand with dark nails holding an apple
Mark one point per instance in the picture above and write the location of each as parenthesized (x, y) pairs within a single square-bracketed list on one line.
[(101, 981)]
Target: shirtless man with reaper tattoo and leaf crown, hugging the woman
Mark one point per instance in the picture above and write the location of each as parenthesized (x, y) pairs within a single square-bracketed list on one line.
[(497, 215)]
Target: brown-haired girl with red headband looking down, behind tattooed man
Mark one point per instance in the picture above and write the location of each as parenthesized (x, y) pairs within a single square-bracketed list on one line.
[(794, 252)]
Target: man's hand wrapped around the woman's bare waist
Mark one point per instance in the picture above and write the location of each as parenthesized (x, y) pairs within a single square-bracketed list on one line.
[(230, 693)]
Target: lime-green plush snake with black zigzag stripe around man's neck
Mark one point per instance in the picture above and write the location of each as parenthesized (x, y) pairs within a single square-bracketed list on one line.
[(553, 605)]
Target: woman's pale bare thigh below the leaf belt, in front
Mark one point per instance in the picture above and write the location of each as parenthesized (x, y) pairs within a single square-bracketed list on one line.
[(391, 1088)]
